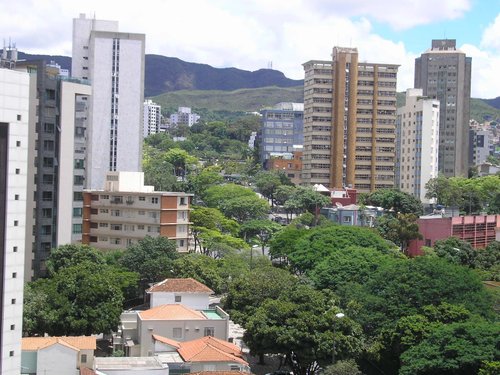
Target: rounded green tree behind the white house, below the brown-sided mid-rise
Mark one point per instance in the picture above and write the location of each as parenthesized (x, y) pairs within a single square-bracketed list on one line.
[(151, 258)]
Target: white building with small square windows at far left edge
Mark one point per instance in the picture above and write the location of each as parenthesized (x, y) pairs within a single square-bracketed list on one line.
[(14, 117)]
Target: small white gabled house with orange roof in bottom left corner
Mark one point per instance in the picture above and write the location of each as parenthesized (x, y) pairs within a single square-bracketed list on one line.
[(57, 355)]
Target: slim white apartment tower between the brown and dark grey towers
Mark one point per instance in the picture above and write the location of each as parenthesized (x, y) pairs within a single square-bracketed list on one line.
[(417, 146)]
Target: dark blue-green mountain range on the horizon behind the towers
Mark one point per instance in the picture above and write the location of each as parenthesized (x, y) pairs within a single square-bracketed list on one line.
[(166, 75)]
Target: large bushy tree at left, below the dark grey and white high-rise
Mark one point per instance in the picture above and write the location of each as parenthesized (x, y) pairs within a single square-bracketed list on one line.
[(82, 299)]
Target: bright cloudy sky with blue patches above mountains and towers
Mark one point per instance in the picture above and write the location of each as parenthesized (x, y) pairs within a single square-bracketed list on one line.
[(282, 34)]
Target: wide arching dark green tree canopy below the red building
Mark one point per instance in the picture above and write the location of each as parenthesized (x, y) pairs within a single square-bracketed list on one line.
[(401, 288)]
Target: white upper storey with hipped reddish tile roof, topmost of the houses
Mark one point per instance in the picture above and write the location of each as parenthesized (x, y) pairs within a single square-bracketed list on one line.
[(189, 292)]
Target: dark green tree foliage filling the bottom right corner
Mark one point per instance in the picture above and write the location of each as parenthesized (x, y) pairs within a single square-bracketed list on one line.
[(458, 348)]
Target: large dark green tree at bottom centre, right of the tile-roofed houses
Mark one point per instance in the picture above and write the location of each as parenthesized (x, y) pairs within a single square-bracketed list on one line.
[(299, 324)]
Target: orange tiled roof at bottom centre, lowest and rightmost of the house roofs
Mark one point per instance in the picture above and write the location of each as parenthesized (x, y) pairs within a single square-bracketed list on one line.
[(210, 349)]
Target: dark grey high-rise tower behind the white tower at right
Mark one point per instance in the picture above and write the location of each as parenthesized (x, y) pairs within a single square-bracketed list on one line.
[(444, 73)]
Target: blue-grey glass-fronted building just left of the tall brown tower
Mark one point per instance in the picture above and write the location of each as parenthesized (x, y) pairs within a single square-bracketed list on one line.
[(281, 131)]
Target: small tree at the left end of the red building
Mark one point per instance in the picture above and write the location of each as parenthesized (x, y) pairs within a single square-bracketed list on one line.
[(399, 229)]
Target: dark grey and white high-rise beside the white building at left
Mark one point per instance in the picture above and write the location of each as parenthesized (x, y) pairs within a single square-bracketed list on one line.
[(57, 155)]
